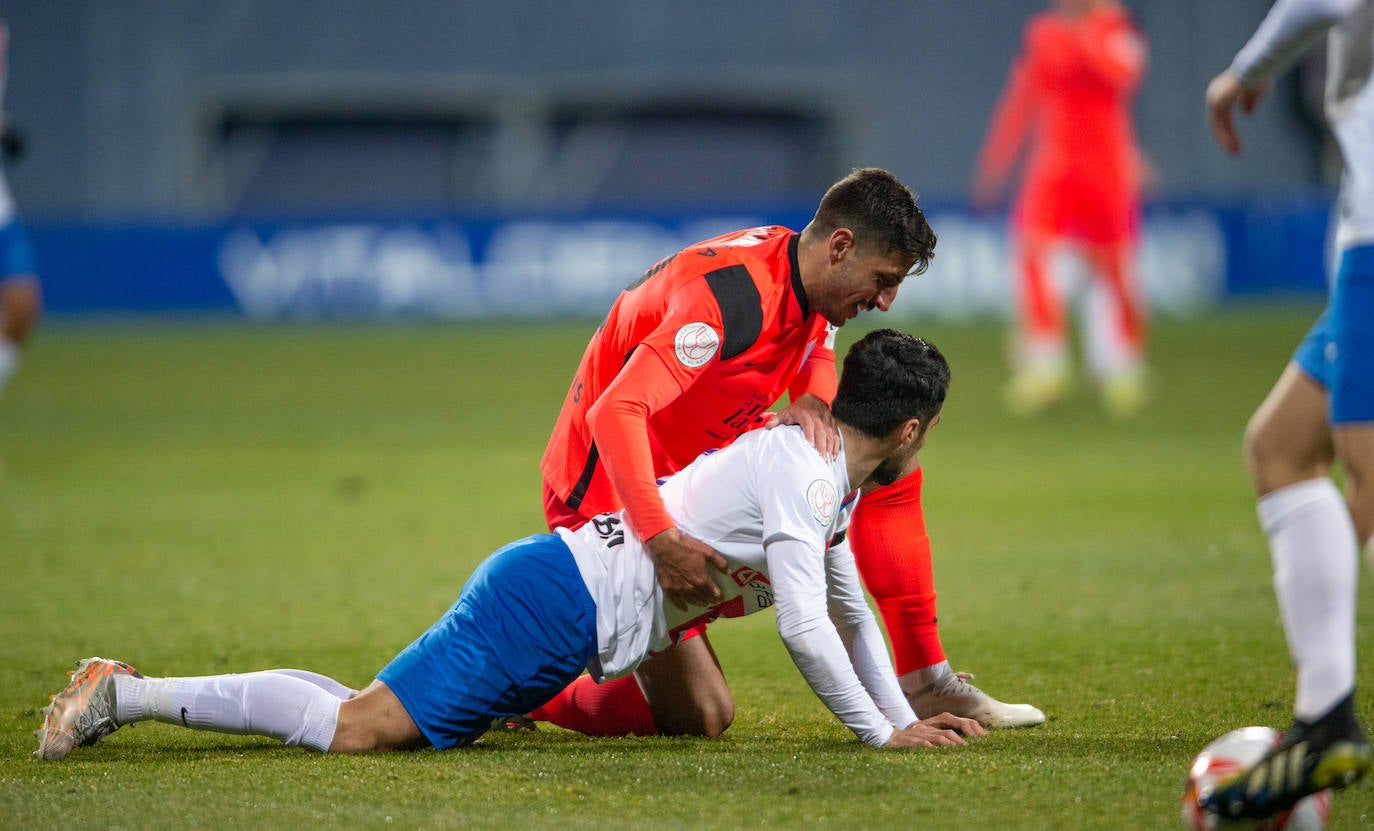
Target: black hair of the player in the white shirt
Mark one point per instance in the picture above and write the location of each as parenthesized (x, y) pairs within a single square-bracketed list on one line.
[(891, 377)]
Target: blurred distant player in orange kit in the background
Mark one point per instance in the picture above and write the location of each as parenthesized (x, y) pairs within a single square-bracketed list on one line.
[(1071, 93)]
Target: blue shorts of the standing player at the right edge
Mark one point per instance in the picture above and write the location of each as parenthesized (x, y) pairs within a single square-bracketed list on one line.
[(1339, 351)]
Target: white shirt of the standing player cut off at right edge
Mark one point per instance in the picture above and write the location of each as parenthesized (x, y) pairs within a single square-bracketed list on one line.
[(1287, 32)]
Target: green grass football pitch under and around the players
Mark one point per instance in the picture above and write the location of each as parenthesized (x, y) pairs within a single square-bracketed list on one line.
[(216, 498)]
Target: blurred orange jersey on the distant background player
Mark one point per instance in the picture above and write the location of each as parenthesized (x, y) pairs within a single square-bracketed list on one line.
[(1071, 90)]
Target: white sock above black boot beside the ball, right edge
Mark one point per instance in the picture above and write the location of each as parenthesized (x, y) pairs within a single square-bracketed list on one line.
[(1316, 569)]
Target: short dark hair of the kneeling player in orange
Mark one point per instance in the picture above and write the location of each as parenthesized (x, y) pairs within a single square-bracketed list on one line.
[(883, 215)]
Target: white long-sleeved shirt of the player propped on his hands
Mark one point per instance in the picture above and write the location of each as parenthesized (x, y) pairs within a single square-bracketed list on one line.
[(774, 509)]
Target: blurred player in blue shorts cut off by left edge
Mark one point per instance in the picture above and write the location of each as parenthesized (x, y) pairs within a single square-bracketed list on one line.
[(20, 295)]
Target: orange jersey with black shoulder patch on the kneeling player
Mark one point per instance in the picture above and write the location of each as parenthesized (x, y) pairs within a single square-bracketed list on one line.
[(690, 356)]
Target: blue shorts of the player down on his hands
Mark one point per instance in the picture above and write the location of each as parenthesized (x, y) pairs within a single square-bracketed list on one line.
[(521, 631)]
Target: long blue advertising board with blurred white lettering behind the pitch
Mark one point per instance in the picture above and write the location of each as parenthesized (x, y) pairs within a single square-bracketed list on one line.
[(1193, 256)]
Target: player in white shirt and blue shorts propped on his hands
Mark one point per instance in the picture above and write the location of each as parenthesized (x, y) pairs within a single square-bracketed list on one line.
[(542, 609)]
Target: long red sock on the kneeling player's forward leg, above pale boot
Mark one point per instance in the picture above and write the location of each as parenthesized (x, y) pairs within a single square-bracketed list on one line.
[(892, 550)]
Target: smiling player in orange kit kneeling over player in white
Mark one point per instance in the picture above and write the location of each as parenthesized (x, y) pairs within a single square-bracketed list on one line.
[(693, 355)]
